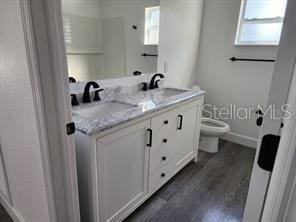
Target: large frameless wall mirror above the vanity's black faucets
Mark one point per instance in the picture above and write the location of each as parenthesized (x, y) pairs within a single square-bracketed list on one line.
[(109, 38)]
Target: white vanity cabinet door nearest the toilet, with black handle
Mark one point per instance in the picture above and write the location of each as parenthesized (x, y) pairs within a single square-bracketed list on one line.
[(187, 134)]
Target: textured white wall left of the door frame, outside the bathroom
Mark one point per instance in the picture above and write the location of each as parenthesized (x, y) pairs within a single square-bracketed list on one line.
[(18, 132)]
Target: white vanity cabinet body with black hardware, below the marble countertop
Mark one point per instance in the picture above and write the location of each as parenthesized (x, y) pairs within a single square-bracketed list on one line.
[(121, 168)]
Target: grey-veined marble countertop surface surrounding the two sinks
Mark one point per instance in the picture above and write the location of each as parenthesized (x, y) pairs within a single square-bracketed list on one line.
[(142, 103)]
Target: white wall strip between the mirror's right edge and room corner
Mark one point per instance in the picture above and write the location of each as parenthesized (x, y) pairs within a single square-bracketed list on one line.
[(180, 23)]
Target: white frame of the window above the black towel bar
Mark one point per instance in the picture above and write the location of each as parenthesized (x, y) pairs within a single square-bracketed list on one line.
[(242, 21)]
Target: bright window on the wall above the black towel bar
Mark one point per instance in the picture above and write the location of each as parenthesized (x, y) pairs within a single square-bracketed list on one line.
[(260, 22)]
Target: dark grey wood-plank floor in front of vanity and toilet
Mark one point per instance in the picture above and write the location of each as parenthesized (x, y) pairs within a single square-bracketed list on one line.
[(212, 190)]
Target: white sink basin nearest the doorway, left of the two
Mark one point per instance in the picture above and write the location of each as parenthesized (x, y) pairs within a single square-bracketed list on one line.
[(102, 110)]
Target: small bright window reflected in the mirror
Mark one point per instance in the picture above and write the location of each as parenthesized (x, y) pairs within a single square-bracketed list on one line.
[(151, 36)]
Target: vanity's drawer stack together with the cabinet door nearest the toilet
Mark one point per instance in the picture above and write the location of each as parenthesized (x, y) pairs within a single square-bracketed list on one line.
[(175, 136)]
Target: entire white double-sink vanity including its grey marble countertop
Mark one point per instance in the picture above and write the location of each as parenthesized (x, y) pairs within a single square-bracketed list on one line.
[(130, 144)]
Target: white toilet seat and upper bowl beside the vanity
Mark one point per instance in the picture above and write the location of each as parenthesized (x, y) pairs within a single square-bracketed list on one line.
[(212, 127)]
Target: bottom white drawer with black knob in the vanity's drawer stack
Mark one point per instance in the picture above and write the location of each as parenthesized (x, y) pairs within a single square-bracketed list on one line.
[(159, 177)]
